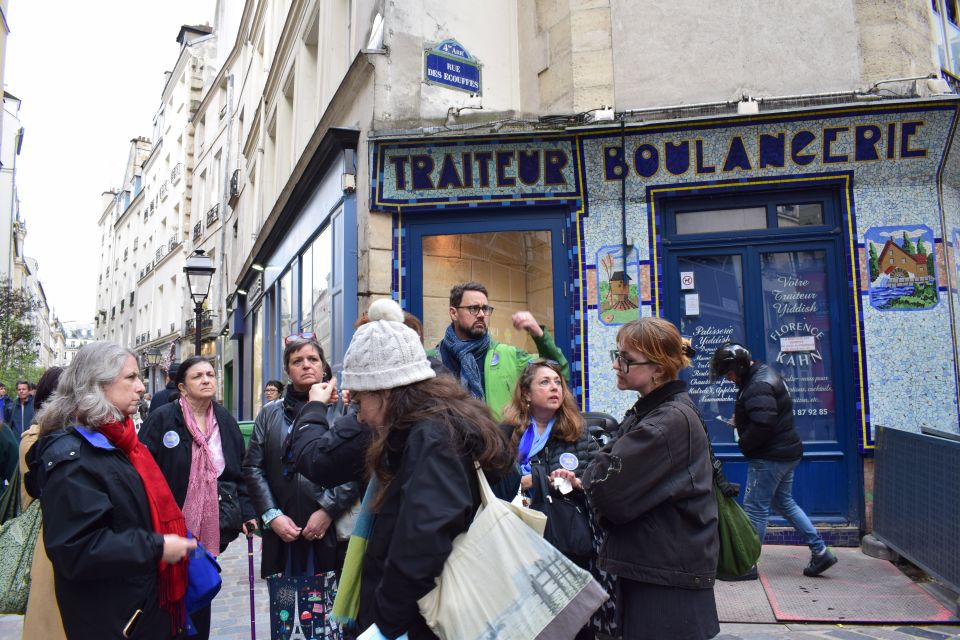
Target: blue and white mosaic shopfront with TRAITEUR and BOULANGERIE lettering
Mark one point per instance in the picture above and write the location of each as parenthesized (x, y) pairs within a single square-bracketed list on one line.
[(891, 164)]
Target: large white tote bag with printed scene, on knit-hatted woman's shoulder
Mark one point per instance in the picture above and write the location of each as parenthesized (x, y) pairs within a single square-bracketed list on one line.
[(504, 580)]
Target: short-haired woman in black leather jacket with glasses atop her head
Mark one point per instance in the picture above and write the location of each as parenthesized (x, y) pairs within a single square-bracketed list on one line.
[(296, 513)]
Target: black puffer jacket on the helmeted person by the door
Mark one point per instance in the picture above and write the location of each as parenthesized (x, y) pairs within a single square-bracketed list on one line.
[(764, 416)]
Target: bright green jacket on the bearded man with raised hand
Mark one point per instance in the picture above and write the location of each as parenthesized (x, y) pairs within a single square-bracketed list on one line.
[(503, 365)]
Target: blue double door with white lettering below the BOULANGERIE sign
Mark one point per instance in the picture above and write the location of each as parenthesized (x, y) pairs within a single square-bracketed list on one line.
[(786, 303)]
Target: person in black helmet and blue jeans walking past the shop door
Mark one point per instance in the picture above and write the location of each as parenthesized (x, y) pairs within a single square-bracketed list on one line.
[(763, 418)]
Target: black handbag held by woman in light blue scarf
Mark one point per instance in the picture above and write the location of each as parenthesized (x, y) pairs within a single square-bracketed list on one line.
[(568, 521)]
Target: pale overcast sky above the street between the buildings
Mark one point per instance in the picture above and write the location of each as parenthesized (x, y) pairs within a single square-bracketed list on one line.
[(90, 76)]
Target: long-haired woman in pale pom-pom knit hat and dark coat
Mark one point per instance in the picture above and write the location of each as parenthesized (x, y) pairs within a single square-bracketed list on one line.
[(425, 432)]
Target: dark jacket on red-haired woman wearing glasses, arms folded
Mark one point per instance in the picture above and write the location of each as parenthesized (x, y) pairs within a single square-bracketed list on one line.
[(653, 489)]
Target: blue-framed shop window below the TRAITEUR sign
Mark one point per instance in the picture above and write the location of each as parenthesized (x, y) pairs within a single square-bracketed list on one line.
[(521, 257)]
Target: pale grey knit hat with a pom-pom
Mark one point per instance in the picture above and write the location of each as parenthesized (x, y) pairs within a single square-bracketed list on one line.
[(384, 353)]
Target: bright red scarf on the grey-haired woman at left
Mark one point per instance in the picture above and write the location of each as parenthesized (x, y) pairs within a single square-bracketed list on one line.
[(164, 513)]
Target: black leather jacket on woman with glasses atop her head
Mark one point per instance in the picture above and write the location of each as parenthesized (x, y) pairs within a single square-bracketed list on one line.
[(272, 484)]
